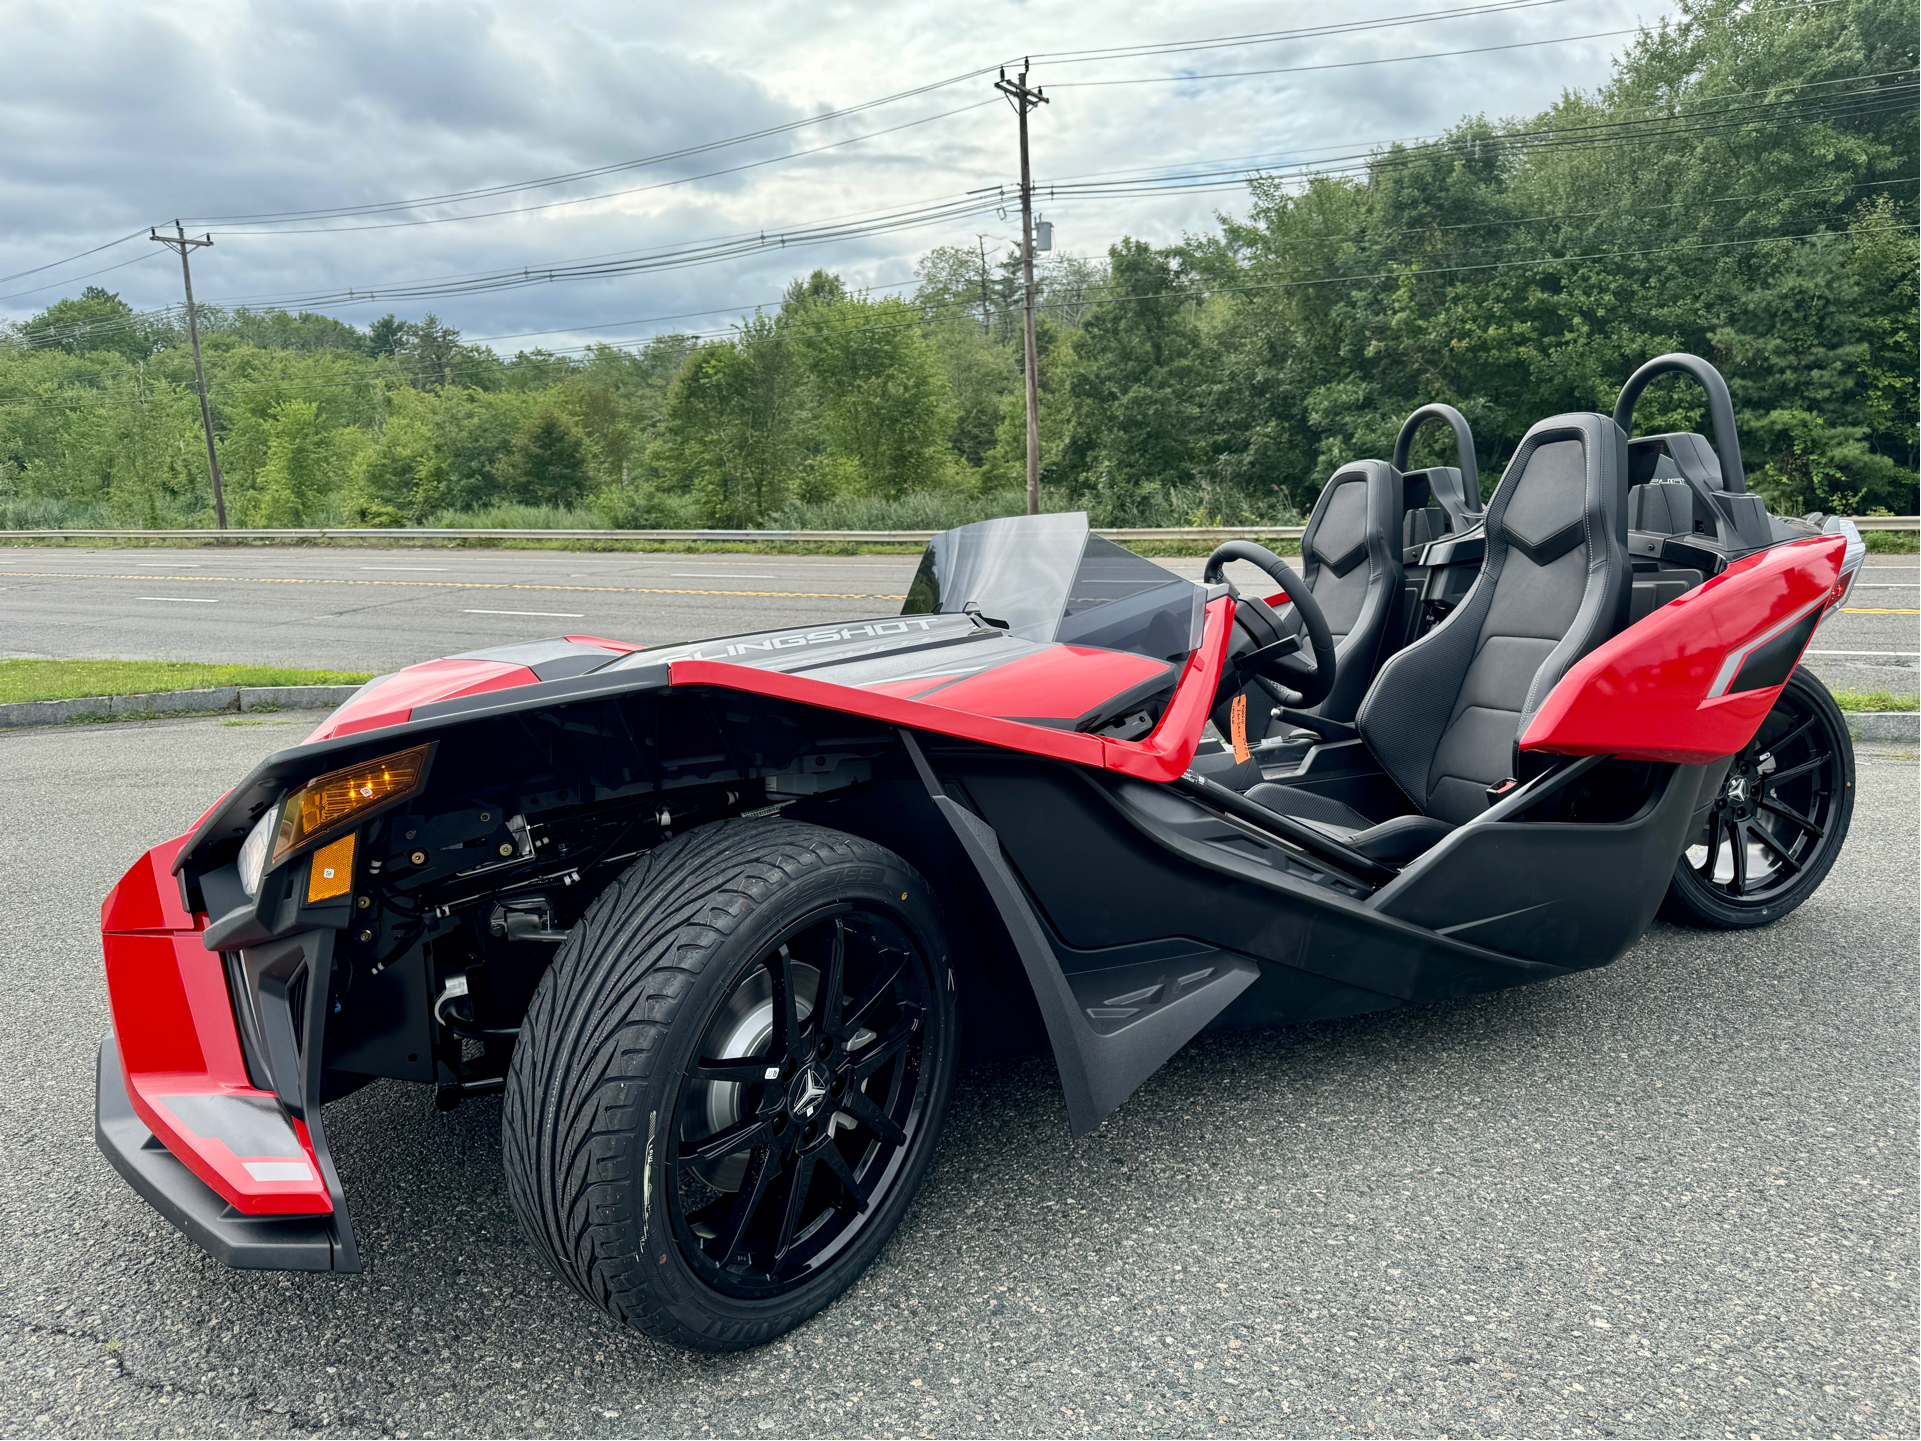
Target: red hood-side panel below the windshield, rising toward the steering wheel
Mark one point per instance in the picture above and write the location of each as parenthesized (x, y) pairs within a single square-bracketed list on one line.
[(1163, 756)]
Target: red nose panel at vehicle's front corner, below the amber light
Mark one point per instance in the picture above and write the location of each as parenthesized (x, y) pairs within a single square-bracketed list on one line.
[(178, 1044)]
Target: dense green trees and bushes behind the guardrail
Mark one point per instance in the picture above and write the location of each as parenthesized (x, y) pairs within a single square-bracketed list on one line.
[(1741, 187)]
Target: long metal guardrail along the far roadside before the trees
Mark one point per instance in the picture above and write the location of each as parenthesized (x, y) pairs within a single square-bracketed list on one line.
[(802, 537)]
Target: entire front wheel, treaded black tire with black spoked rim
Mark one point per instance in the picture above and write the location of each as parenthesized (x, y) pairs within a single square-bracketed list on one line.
[(704, 1133)]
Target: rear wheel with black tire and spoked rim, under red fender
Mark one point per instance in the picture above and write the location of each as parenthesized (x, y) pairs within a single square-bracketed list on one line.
[(1780, 821)]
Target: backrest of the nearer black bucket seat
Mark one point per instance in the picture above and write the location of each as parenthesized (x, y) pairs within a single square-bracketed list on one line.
[(1446, 714)]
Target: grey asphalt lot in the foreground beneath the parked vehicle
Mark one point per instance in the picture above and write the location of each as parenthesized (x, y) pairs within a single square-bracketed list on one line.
[(1670, 1198)]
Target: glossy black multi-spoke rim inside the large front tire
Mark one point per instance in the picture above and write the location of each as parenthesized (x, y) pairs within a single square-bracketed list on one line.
[(804, 1104)]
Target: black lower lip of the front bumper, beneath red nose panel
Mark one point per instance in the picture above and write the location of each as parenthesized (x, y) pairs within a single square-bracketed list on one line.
[(216, 1227)]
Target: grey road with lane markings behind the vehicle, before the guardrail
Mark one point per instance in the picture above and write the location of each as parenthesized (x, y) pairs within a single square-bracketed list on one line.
[(377, 610)]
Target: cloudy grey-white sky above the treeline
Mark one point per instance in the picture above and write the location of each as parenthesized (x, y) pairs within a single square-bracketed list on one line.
[(120, 116)]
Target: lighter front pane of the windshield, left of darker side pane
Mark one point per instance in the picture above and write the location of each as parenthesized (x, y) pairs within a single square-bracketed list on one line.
[(1017, 570)]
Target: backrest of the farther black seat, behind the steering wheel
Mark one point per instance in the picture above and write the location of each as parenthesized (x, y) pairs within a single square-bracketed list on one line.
[(1351, 560)]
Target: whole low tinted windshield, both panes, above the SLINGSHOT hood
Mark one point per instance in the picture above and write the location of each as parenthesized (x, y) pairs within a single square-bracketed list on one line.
[(1050, 577)]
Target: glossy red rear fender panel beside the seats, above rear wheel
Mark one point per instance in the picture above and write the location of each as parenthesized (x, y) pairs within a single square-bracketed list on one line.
[(1643, 695)]
